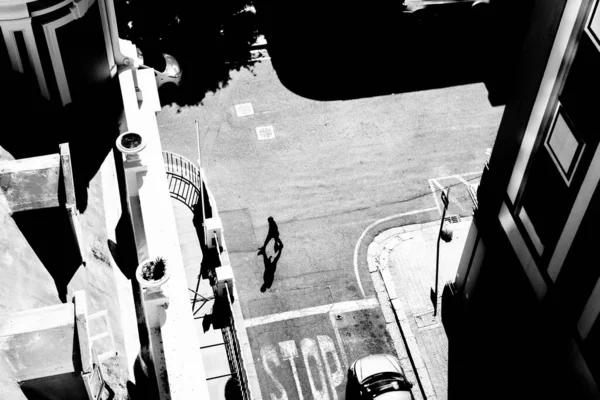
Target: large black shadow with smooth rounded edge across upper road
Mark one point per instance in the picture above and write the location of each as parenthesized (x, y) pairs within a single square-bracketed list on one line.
[(334, 51)]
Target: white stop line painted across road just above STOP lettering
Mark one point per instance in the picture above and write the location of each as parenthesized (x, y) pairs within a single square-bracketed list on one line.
[(335, 308)]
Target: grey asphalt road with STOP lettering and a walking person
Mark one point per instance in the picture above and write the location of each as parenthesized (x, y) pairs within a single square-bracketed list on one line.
[(331, 169)]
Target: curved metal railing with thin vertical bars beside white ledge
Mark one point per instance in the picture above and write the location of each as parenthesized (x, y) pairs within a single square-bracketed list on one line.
[(184, 179)]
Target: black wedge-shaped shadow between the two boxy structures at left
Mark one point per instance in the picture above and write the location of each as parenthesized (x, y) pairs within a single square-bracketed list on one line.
[(48, 231)]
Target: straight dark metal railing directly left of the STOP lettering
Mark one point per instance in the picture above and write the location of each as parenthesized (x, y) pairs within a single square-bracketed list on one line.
[(234, 352)]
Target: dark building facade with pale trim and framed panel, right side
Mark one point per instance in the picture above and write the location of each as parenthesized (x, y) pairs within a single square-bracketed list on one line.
[(529, 280)]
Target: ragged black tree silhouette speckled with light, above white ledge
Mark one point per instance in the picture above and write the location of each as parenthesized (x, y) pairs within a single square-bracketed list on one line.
[(208, 39)]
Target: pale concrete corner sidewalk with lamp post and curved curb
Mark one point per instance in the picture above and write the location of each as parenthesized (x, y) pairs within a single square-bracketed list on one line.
[(404, 259)]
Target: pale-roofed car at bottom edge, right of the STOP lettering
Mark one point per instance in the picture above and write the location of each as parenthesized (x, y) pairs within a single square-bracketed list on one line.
[(378, 376)]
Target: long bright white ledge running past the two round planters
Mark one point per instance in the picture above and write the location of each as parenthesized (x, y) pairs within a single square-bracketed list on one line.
[(181, 364)]
